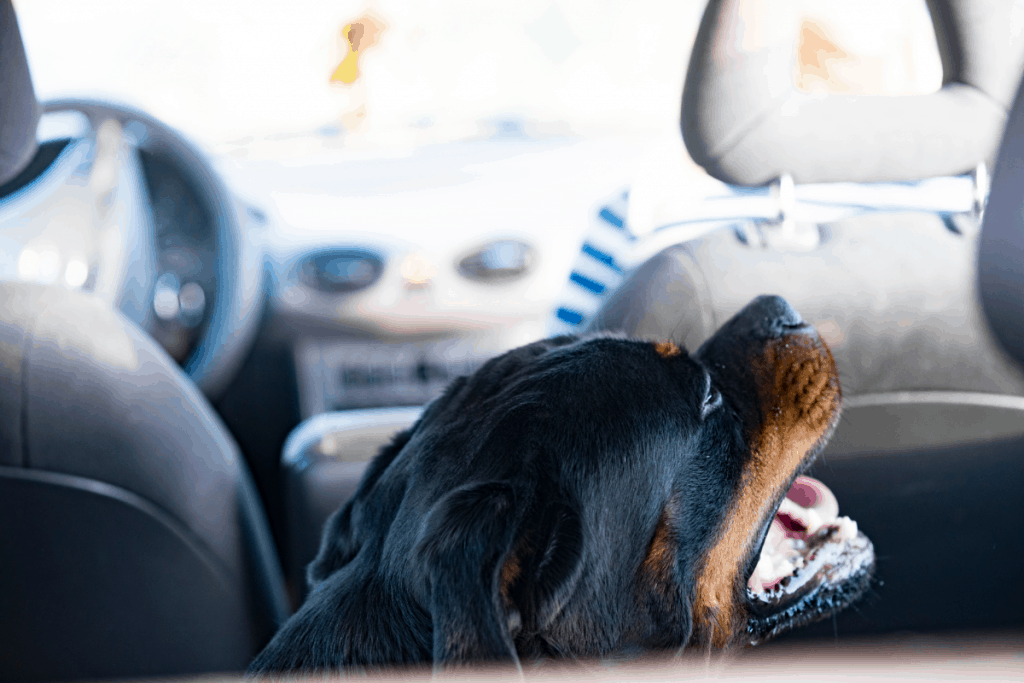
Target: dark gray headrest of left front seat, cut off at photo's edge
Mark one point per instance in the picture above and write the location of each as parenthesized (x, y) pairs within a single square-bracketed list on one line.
[(19, 109)]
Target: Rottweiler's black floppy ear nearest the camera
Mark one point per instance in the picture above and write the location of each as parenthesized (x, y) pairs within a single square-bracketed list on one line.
[(462, 548)]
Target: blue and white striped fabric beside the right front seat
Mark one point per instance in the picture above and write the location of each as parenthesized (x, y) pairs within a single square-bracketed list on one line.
[(596, 272)]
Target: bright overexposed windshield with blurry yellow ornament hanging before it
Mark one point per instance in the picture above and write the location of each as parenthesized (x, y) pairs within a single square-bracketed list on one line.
[(271, 79)]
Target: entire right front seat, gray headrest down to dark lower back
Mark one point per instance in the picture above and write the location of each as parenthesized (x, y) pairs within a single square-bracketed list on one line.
[(932, 435)]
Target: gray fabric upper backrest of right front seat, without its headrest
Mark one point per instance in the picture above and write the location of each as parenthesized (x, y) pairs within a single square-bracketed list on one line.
[(895, 295)]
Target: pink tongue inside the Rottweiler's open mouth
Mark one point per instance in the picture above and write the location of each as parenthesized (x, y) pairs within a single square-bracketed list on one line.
[(809, 509)]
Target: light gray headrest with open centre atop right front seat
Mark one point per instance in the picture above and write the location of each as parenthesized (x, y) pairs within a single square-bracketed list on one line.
[(745, 121)]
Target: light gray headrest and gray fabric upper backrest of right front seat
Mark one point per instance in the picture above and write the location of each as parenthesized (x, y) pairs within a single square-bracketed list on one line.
[(899, 291)]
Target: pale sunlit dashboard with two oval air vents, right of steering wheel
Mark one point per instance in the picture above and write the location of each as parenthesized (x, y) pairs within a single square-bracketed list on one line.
[(392, 276)]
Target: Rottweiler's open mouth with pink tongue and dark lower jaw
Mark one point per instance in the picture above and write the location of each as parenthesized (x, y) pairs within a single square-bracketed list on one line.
[(813, 565)]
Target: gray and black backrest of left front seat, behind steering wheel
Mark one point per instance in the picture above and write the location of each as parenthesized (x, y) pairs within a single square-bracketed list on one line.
[(133, 542)]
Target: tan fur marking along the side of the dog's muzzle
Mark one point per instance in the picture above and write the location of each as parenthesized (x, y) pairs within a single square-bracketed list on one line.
[(799, 394)]
